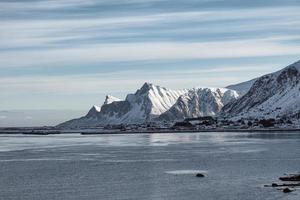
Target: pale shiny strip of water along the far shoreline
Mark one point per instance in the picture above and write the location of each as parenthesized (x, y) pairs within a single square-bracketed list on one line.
[(20, 142)]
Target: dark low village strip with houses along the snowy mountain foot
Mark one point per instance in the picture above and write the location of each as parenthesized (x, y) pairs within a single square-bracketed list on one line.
[(207, 123)]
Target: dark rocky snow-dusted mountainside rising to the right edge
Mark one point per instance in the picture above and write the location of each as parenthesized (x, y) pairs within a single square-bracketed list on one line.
[(273, 95)]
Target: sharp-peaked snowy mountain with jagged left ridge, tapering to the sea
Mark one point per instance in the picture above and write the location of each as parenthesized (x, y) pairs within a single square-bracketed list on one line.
[(147, 103)]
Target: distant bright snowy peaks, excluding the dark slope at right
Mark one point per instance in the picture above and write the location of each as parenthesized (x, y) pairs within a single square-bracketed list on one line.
[(152, 103)]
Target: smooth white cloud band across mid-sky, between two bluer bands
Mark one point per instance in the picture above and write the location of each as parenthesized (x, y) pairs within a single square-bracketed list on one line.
[(148, 51)]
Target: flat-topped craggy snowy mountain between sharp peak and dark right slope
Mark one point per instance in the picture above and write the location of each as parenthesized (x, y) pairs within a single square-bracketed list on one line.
[(199, 102)]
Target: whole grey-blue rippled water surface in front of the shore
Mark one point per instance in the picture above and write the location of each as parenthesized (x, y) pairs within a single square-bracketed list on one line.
[(147, 166)]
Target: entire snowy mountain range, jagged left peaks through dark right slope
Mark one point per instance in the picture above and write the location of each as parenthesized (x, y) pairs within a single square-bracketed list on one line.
[(273, 95)]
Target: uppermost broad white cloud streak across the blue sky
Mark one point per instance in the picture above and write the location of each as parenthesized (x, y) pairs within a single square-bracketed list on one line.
[(28, 33)]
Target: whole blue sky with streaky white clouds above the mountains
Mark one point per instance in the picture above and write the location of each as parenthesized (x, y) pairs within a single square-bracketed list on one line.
[(66, 55)]
